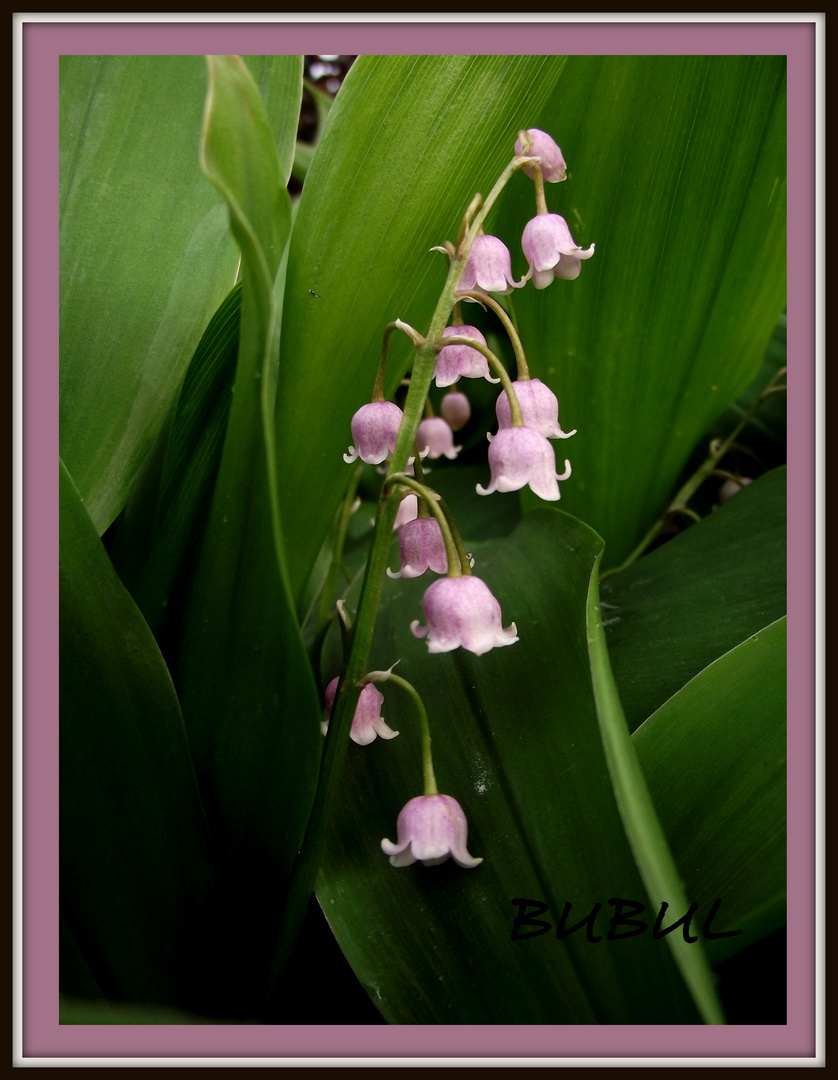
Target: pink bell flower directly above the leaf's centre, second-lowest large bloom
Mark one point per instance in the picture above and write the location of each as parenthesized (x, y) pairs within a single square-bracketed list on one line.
[(463, 612)]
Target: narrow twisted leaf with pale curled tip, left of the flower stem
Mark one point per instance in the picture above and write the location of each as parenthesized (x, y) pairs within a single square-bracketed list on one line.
[(248, 692)]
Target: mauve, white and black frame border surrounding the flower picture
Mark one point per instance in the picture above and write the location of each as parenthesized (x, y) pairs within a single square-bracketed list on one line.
[(39, 42)]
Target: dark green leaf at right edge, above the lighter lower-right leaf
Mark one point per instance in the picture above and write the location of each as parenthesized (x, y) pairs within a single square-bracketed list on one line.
[(681, 607)]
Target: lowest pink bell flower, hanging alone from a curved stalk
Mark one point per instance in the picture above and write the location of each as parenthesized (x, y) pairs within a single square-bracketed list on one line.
[(431, 828)]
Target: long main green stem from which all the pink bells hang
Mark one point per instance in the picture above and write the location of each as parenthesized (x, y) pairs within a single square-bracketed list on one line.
[(346, 699)]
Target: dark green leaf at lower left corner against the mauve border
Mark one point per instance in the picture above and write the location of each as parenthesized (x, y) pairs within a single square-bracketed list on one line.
[(136, 856)]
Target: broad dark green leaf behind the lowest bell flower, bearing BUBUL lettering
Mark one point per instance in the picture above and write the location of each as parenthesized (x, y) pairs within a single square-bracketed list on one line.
[(517, 741)]
